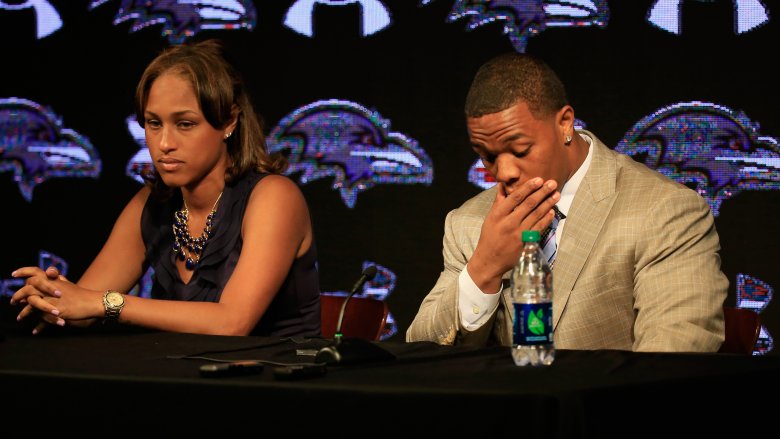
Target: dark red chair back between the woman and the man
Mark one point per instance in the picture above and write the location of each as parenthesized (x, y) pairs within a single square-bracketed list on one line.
[(364, 318)]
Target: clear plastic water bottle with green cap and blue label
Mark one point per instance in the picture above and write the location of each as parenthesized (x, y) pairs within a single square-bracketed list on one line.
[(531, 285)]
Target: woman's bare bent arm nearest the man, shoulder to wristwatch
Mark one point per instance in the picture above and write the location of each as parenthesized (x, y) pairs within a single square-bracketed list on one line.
[(276, 229)]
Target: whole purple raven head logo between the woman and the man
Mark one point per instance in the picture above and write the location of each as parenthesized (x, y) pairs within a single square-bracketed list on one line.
[(344, 140)]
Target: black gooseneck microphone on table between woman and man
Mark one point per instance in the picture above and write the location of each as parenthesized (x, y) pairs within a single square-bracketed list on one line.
[(347, 350)]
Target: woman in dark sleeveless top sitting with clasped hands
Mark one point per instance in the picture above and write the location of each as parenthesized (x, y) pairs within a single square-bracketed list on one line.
[(230, 240)]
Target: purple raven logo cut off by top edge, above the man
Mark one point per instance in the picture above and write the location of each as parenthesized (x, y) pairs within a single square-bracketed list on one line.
[(525, 18)]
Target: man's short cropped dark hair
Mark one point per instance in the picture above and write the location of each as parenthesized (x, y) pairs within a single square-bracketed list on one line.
[(512, 78)]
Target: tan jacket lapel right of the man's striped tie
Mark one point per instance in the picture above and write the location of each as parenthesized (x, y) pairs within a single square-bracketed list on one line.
[(590, 208)]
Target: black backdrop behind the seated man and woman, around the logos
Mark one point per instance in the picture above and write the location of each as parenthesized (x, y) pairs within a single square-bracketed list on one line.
[(415, 73)]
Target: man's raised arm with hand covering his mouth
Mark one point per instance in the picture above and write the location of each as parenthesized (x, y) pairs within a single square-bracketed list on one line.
[(485, 232)]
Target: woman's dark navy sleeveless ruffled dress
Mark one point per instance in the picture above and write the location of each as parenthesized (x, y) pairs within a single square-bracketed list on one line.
[(296, 308)]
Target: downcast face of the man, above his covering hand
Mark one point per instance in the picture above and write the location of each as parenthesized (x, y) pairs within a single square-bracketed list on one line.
[(515, 146)]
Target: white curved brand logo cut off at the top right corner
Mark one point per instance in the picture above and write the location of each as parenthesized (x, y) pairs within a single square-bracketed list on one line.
[(667, 15)]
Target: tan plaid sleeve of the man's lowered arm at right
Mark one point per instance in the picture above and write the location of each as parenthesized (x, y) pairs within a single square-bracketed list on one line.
[(679, 288)]
